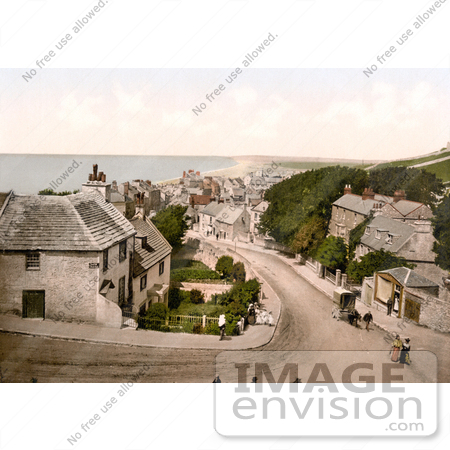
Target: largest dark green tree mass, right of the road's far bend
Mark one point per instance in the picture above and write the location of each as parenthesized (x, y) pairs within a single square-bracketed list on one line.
[(293, 202)]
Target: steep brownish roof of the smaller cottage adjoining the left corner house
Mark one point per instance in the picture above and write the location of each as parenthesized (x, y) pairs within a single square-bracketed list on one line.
[(158, 248)]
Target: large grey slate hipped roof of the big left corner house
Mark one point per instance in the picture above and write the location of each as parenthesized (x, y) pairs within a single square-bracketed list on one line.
[(77, 222)]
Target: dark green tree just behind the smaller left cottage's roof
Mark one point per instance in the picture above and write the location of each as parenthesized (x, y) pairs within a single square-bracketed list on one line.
[(171, 222)]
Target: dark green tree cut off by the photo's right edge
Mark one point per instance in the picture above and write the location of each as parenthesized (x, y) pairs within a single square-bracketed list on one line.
[(441, 231)]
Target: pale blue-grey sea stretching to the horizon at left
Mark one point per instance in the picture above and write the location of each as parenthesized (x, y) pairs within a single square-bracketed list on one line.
[(29, 174)]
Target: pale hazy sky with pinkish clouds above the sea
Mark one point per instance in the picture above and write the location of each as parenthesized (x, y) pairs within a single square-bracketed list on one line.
[(395, 113)]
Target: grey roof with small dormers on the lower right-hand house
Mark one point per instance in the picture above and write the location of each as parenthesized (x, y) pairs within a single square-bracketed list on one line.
[(391, 226)]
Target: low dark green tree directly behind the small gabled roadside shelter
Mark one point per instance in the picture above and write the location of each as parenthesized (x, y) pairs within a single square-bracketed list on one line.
[(375, 262)]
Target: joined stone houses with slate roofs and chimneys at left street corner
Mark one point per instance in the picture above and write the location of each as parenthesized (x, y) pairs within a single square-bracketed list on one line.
[(78, 257)]
